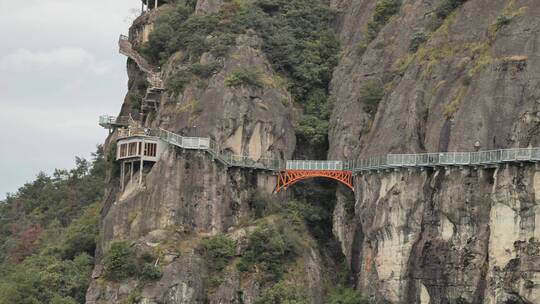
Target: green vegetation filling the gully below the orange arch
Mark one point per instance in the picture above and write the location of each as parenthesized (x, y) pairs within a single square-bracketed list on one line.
[(282, 230)]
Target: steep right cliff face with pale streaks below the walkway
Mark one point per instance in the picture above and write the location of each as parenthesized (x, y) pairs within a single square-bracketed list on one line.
[(455, 235)]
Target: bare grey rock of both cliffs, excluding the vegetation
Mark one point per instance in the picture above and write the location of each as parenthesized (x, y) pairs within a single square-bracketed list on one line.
[(447, 236)]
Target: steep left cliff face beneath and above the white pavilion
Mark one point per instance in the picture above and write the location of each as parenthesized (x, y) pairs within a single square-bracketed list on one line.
[(188, 197)]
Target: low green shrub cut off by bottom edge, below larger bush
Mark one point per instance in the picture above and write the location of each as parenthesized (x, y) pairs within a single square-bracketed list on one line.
[(282, 293)]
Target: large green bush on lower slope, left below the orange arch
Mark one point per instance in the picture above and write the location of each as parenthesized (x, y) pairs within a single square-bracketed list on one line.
[(269, 249)]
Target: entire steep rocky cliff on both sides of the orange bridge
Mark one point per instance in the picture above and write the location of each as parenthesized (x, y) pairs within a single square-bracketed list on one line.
[(413, 76)]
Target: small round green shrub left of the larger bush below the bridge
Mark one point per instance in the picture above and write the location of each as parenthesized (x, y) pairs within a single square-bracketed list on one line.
[(218, 251)]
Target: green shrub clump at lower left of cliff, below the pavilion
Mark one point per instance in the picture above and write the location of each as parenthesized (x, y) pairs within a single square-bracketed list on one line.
[(120, 262)]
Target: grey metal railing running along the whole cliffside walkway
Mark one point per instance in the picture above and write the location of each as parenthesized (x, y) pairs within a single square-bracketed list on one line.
[(389, 161)]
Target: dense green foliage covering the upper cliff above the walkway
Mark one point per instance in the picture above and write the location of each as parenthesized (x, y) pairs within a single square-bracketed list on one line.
[(296, 38)]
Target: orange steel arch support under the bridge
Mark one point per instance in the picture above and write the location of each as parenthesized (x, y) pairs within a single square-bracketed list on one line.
[(288, 178)]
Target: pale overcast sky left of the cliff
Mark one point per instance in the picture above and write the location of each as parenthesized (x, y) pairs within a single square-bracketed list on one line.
[(59, 70)]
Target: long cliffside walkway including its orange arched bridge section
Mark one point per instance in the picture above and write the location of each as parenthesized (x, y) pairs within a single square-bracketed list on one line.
[(291, 171)]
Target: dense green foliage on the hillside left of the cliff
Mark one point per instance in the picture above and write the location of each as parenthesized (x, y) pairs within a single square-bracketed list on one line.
[(48, 233)]
